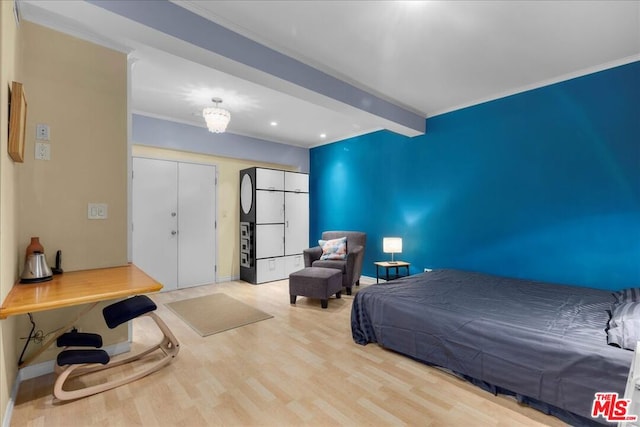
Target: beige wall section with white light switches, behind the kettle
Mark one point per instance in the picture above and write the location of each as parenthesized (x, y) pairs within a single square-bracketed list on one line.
[(79, 90)]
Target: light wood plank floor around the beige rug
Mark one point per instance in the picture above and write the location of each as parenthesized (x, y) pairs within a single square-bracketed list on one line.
[(300, 367)]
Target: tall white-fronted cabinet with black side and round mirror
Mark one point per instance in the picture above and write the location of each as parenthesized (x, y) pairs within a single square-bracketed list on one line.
[(274, 223)]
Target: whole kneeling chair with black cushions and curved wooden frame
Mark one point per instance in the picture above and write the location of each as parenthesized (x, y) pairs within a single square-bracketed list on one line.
[(75, 360)]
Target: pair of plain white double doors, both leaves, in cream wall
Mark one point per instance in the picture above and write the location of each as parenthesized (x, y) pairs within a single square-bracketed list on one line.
[(173, 212)]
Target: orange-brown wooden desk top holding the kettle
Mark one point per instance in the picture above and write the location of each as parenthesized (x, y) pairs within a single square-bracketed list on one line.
[(77, 287)]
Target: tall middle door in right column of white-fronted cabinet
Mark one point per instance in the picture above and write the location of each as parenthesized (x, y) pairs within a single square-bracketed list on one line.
[(296, 235)]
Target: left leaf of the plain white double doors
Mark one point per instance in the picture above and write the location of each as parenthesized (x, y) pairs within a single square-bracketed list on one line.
[(155, 222)]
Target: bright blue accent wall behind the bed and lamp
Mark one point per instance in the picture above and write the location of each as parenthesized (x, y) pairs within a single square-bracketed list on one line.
[(543, 185)]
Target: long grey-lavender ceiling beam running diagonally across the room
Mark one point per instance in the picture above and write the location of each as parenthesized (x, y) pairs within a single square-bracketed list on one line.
[(291, 76)]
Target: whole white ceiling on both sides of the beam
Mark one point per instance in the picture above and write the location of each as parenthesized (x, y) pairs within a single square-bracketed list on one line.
[(426, 57)]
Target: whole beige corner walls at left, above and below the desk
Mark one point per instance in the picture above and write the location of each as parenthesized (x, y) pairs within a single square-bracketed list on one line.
[(80, 90)]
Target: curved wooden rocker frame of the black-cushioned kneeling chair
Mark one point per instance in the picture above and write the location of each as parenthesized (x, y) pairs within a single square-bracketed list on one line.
[(168, 345)]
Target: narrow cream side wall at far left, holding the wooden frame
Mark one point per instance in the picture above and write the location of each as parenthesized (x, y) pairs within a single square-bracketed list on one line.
[(9, 39)]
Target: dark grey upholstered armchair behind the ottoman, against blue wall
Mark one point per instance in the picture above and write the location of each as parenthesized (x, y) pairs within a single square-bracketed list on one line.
[(351, 267)]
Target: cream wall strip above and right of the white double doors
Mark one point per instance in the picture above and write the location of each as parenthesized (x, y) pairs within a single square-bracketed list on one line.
[(228, 170)]
